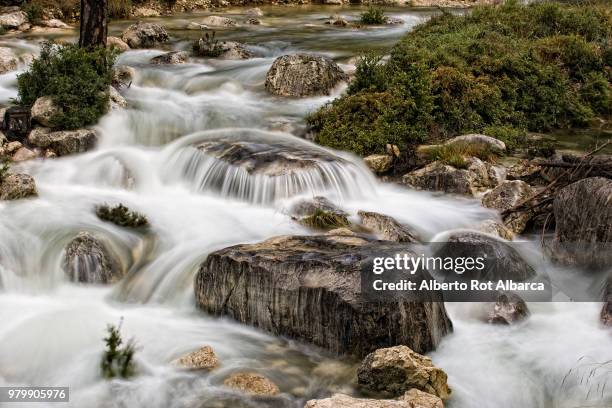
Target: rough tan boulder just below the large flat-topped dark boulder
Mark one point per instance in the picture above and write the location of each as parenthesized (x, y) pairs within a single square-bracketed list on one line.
[(398, 369)]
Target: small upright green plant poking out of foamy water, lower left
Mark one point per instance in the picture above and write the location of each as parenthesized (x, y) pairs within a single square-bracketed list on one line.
[(117, 361)]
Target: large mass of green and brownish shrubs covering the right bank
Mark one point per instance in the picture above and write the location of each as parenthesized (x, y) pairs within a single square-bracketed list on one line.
[(504, 69)]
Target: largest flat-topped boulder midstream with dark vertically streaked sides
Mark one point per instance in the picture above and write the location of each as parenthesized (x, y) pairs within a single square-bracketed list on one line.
[(309, 288)]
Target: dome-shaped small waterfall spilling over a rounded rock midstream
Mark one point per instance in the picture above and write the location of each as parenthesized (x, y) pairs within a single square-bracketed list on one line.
[(264, 167)]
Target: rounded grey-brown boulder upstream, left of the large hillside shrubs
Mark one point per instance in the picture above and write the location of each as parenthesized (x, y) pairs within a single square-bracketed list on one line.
[(303, 75)]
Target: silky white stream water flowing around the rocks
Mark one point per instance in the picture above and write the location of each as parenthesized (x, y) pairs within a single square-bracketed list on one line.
[(51, 330)]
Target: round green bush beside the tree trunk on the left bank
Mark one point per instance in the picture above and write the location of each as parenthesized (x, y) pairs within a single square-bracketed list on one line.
[(77, 79)]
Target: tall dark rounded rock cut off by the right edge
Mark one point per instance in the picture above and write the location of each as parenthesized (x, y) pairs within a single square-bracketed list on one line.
[(583, 217)]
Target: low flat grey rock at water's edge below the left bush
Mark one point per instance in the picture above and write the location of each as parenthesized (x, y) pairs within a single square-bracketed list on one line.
[(63, 142)]
